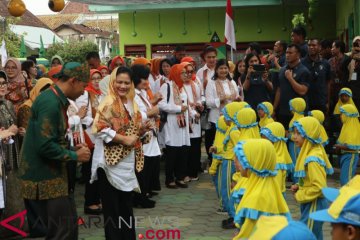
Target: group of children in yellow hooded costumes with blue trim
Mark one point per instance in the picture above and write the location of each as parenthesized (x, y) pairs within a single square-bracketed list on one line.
[(250, 164)]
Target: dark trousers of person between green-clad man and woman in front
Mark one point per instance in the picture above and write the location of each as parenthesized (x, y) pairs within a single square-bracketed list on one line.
[(92, 196)]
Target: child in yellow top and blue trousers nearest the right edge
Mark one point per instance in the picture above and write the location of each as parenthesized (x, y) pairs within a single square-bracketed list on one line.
[(348, 142)]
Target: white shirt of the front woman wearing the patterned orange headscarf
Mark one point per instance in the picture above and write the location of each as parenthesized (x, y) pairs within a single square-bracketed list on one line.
[(122, 175)]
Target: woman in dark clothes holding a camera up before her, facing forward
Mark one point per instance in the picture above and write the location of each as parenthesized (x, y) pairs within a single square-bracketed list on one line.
[(257, 87)]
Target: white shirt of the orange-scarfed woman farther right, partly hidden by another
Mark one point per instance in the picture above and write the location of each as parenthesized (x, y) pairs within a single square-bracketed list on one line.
[(196, 127)]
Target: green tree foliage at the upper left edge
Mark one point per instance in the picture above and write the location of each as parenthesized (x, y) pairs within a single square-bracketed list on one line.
[(11, 39)]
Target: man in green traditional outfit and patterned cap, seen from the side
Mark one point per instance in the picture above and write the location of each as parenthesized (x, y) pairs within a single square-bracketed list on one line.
[(47, 160)]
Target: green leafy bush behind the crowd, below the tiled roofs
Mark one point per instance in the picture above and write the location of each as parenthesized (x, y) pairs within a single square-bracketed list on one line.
[(74, 51)]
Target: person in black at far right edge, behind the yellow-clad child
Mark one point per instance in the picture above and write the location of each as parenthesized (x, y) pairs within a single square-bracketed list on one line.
[(352, 71)]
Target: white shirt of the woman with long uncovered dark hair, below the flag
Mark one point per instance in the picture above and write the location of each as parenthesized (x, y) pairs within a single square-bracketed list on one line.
[(213, 100)]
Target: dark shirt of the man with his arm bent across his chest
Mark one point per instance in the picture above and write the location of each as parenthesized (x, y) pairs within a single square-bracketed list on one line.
[(301, 75)]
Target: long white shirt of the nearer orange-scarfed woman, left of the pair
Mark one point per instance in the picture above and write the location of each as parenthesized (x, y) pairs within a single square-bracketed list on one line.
[(174, 135)]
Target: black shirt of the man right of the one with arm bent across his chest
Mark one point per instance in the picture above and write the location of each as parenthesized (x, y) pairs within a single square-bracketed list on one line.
[(318, 89)]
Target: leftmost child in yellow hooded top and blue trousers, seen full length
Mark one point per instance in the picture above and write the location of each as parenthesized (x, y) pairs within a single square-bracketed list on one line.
[(226, 151)]
